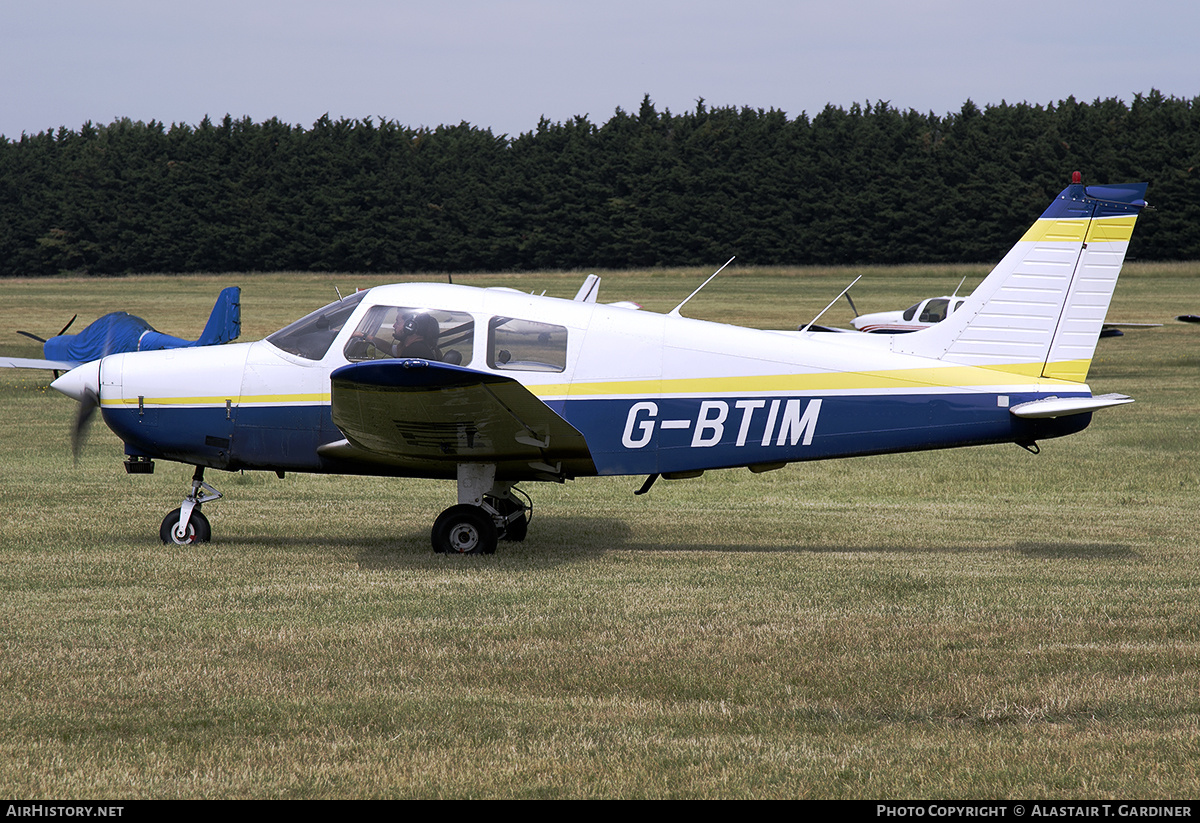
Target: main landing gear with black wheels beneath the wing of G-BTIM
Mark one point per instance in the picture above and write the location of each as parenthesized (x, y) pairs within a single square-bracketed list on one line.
[(488, 513)]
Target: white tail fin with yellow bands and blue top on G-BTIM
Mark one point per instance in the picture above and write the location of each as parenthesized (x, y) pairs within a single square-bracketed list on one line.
[(1041, 310)]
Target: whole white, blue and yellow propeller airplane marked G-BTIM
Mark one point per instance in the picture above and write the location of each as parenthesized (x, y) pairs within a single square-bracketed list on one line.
[(493, 387)]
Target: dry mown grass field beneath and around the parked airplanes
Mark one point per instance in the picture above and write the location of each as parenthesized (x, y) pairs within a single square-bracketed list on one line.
[(977, 623)]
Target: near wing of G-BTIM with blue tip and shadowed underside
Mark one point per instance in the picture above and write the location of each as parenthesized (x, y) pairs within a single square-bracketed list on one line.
[(433, 416)]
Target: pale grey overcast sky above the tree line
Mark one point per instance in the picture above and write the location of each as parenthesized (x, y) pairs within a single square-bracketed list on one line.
[(505, 64)]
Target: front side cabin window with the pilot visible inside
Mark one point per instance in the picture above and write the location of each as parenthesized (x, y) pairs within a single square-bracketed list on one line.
[(409, 332)]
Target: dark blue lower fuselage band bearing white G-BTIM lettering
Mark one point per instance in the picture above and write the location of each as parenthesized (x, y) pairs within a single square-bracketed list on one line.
[(627, 436)]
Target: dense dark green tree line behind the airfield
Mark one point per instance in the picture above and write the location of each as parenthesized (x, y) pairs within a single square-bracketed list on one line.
[(869, 184)]
